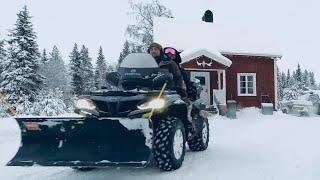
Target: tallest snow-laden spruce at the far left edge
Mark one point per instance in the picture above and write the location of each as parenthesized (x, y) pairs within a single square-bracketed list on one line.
[(21, 70)]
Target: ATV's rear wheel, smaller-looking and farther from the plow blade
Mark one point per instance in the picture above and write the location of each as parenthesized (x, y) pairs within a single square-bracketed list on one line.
[(200, 141)]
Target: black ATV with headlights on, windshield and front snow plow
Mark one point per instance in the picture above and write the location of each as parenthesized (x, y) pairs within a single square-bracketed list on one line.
[(140, 123)]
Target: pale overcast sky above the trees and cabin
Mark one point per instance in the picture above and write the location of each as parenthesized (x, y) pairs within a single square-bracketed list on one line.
[(293, 23)]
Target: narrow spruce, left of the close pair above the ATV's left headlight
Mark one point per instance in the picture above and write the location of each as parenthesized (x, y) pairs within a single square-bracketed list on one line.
[(77, 83)]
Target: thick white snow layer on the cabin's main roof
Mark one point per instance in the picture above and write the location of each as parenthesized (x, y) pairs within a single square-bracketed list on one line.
[(224, 38)]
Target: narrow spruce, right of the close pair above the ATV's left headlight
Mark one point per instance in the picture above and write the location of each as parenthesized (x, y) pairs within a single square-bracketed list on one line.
[(86, 70)]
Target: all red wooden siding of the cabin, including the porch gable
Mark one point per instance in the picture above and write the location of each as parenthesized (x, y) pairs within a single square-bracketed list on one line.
[(262, 66)]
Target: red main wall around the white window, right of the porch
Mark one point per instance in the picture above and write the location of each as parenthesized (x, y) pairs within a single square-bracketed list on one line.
[(264, 69)]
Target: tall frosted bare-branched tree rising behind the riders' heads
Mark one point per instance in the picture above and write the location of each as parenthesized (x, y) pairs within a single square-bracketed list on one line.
[(144, 12)]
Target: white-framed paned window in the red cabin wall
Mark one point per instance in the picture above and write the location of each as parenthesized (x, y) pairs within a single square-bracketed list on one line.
[(247, 84)]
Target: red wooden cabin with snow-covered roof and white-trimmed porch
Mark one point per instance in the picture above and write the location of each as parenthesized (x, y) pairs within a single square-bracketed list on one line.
[(223, 62)]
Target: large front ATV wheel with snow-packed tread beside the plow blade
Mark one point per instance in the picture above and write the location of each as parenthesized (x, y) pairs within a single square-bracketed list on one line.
[(169, 144)]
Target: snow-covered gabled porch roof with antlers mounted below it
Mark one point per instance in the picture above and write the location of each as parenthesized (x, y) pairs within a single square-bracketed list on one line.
[(212, 53)]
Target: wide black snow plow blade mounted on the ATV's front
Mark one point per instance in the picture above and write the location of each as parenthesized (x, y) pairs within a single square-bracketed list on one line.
[(83, 142)]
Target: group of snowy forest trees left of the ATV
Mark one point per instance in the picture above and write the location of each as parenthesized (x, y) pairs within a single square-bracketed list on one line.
[(41, 83)]
